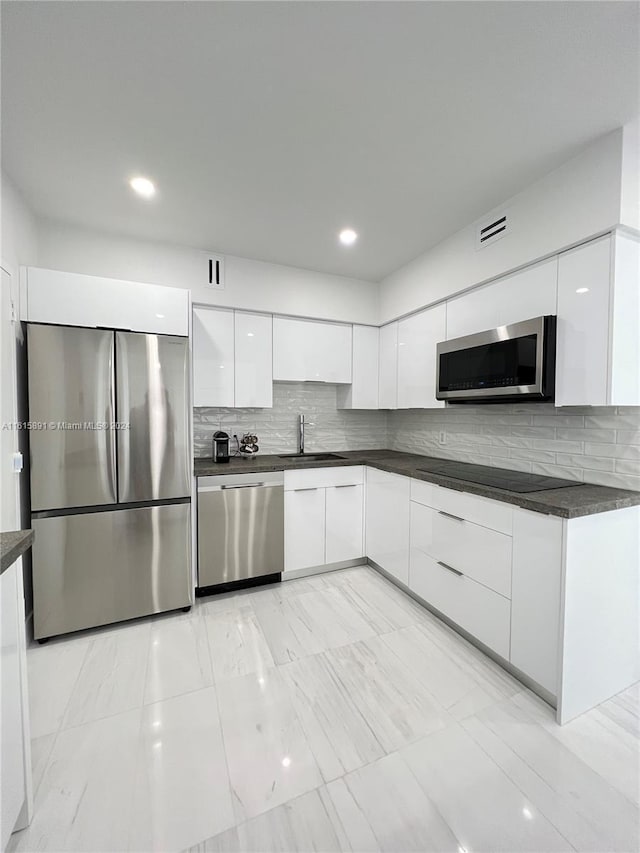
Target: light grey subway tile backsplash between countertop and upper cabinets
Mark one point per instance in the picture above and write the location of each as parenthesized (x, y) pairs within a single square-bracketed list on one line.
[(596, 445)]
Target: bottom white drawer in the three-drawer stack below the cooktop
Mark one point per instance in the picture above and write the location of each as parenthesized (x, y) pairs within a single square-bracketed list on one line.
[(481, 612)]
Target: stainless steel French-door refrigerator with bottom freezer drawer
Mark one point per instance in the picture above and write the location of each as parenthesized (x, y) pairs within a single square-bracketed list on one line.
[(110, 475)]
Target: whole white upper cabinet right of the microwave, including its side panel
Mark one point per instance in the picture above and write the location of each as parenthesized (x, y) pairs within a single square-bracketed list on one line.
[(598, 355)]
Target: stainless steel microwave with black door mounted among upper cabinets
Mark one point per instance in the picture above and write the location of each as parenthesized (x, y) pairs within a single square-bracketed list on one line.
[(515, 362)]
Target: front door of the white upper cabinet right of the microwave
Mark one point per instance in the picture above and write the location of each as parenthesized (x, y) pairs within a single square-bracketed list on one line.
[(582, 360)]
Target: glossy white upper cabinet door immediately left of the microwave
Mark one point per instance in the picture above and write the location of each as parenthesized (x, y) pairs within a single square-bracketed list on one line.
[(417, 339)]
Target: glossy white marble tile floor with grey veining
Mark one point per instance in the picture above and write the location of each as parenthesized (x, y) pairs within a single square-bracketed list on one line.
[(329, 713)]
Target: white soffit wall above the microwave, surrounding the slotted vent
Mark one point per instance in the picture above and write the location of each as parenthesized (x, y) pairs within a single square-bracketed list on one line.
[(578, 200)]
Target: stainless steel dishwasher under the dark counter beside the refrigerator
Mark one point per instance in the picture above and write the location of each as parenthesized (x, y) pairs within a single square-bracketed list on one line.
[(240, 528)]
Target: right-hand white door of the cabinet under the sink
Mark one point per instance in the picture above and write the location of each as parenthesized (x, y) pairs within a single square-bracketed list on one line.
[(344, 520)]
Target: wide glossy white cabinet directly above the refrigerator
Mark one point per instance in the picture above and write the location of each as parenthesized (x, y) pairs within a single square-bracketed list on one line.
[(70, 299)]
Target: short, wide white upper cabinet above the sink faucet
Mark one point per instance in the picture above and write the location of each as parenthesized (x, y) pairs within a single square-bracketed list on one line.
[(311, 351)]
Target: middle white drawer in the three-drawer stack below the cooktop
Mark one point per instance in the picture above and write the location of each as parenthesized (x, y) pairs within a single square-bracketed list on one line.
[(478, 552)]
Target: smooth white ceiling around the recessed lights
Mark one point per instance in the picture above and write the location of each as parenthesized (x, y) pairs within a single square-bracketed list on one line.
[(269, 126)]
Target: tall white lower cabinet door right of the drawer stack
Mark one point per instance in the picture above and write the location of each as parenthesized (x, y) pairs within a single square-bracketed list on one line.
[(535, 596)]
